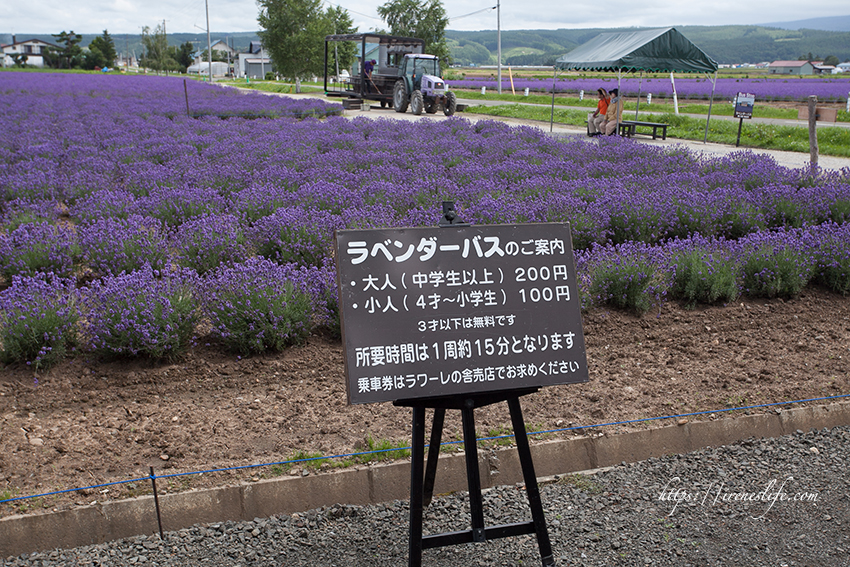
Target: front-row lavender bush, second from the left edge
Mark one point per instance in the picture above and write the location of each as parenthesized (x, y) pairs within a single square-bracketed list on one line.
[(144, 313)]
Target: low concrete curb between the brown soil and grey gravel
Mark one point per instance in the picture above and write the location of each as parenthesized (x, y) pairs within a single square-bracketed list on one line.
[(119, 519)]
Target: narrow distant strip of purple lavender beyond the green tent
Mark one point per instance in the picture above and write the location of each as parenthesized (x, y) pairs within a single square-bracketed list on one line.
[(767, 89)]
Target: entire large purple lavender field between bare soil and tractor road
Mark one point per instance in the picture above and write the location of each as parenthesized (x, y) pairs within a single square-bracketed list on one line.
[(131, 227)]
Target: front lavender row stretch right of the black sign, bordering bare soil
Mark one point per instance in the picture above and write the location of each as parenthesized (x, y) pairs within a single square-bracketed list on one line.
[(696, 269)]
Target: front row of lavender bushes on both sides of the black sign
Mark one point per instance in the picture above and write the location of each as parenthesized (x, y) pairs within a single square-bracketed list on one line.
[(260, 305)]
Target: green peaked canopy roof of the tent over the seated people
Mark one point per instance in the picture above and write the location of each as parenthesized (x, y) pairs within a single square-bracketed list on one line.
[(661, 50)]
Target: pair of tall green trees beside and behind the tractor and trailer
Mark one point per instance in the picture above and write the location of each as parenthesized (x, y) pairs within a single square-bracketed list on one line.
[(293, 32)]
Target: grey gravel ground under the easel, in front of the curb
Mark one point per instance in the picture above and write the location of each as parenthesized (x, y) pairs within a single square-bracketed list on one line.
[(771, 502)]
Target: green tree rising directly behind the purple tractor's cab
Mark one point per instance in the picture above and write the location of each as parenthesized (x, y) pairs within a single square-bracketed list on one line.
[(425, 19)]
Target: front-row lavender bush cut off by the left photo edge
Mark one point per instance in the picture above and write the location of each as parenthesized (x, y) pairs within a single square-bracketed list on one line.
[(38, 318)]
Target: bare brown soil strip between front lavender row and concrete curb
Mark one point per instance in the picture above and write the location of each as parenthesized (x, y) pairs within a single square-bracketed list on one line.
[(89, 422)]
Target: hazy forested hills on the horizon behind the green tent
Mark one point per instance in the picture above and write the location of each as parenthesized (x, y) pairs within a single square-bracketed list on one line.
[(724, 44)]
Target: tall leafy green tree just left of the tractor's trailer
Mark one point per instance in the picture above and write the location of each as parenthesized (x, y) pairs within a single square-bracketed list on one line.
[(293, 32)]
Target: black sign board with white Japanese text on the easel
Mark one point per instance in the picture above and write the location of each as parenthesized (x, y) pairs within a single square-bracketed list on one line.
[(430, 312)]
